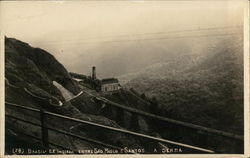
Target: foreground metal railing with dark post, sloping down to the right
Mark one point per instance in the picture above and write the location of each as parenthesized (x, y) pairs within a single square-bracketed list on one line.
[(45, 131)]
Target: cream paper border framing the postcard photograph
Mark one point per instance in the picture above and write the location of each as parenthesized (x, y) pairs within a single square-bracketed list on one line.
[(246, 105)]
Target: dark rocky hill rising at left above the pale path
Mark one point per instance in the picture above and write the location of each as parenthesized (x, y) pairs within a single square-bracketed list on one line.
[(25, 65)]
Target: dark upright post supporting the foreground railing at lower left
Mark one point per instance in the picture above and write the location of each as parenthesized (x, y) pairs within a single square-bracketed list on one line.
[(44, 130)]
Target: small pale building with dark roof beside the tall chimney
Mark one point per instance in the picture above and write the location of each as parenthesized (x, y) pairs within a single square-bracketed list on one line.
[(109, 84)]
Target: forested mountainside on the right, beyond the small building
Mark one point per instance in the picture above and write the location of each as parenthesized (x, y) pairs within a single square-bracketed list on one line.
[(204, 88)]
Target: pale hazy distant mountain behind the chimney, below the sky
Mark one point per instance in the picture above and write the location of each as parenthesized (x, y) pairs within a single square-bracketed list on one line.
[(112, 58)]
